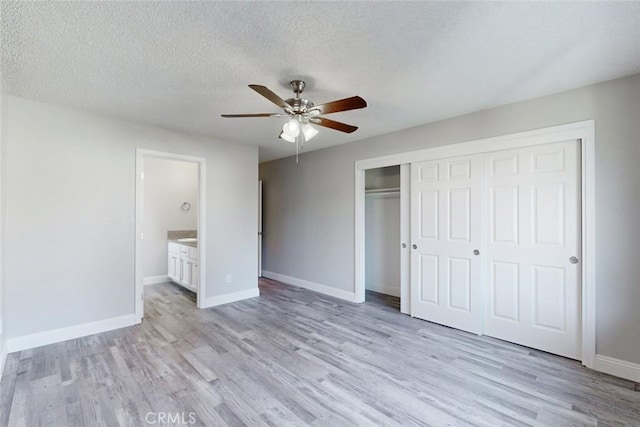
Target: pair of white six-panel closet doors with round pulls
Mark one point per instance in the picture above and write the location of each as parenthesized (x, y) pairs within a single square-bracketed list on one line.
[(495, 241)]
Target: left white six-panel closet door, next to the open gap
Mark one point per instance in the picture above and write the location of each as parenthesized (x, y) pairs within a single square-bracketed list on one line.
[(445, 232)]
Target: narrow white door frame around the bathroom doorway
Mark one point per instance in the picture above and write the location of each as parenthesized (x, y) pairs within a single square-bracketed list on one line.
[(141, 154)]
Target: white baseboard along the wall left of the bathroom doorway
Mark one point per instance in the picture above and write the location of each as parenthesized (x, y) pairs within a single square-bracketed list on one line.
[(53, 336)]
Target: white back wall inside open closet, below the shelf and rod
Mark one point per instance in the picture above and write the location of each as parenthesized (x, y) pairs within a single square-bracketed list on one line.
[(382, 244)]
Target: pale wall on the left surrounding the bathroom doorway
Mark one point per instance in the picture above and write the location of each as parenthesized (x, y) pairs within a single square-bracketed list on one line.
[(69, 203)]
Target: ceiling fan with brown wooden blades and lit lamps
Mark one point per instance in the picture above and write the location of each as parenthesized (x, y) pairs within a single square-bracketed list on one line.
[(303, 113)]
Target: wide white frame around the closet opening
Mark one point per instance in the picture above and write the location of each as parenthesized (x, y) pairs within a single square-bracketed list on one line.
[(583, 131)]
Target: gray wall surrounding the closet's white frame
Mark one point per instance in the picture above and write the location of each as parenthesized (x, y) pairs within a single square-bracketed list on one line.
[(309, 207)]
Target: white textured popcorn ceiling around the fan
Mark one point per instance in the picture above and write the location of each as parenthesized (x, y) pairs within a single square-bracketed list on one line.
[(181, 64)]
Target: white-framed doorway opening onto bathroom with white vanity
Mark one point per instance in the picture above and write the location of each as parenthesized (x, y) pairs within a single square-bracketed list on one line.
[(170, 225)]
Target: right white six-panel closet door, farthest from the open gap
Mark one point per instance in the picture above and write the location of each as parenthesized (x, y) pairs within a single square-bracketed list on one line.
[(531, 203)]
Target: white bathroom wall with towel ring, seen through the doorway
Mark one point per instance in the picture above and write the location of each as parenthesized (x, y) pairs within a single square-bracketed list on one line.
[(167, 185)]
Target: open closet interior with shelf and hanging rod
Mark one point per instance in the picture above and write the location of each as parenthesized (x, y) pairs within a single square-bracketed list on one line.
[(382, 231)]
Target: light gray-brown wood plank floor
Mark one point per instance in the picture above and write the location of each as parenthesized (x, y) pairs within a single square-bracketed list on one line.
[(294, 357)]
